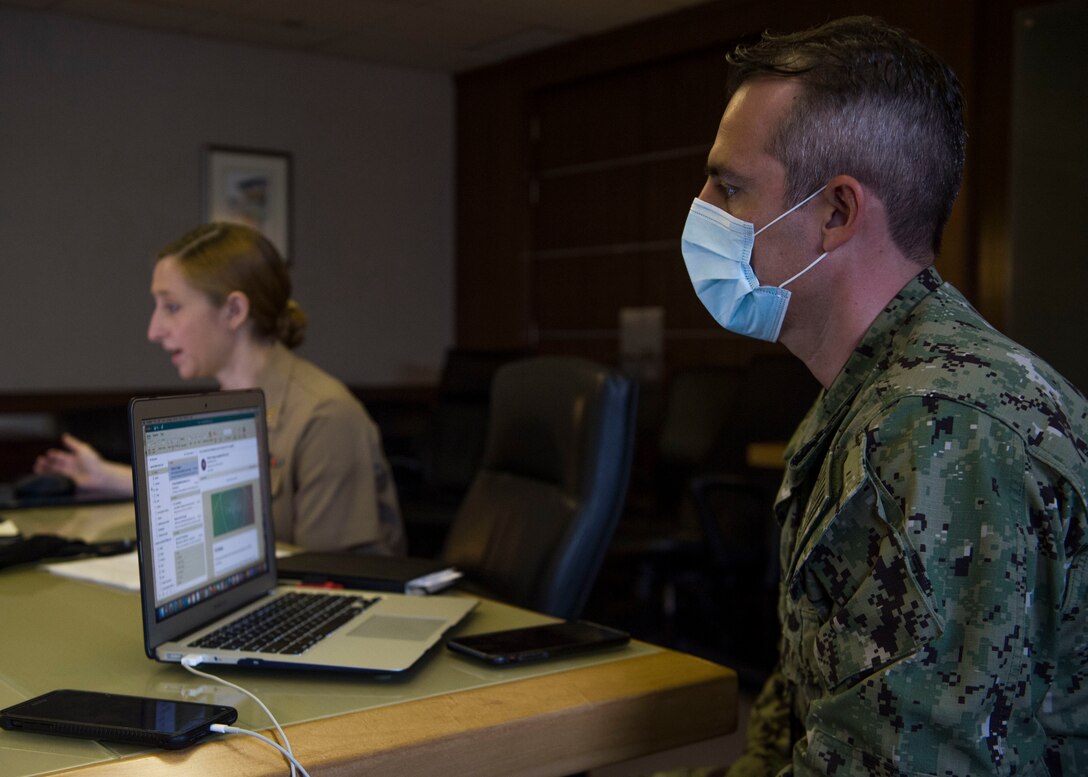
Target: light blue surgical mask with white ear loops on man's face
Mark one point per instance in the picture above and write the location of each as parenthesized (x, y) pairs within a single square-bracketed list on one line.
[(718, 251)]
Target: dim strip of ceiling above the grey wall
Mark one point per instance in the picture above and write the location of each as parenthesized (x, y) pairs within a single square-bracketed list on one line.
[(439, 35)]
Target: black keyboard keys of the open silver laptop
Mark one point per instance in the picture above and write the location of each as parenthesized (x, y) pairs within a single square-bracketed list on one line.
[(291, 624)]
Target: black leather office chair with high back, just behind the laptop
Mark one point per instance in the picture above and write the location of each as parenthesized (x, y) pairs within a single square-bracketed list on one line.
[(537, 522)]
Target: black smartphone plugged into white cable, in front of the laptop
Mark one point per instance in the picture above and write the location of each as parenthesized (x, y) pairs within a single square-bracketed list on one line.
[(117, 719)]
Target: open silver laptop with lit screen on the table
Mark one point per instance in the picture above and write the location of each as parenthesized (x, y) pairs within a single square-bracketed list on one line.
[(207, 553)]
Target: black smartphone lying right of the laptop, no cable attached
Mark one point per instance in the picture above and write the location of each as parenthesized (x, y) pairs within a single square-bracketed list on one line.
[(539, 643)]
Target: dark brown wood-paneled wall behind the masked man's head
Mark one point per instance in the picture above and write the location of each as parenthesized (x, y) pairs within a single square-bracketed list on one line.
[(577, 167)]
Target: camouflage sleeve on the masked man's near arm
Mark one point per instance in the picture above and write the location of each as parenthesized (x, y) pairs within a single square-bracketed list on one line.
[(926, 596)]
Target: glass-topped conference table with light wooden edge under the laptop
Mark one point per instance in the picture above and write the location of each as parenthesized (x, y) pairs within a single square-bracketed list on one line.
[(448, 717)]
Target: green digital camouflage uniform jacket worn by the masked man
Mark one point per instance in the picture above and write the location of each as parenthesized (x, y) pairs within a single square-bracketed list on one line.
[(933, 556)]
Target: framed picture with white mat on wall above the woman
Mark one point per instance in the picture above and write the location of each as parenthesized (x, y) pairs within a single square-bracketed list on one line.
[(250, 187)]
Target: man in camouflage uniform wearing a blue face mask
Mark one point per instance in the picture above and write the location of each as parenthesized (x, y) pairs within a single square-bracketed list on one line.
[(934, 507)]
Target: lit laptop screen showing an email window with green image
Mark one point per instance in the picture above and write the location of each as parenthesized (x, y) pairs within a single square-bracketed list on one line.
[(204, 494)]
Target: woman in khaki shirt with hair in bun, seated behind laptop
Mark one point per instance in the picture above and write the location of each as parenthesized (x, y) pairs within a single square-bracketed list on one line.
[(224, 311)]
